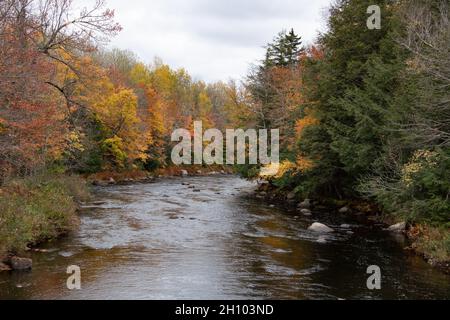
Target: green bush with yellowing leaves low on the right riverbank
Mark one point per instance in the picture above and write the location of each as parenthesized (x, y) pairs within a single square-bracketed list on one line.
[(421, 193)]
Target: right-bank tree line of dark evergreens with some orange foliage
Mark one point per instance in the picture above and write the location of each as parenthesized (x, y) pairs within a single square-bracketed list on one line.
[(364, 113)]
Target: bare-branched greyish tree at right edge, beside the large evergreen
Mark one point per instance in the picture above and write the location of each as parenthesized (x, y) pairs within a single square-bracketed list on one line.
[(428, 39)]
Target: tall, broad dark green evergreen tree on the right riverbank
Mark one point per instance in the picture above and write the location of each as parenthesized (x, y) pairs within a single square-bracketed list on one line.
[(357, 79)]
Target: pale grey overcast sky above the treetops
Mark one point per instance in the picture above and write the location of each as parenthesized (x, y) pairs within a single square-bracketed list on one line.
[(213, 39)]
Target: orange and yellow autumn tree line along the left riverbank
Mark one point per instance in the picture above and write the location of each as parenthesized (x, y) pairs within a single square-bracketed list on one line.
[(69, 105)]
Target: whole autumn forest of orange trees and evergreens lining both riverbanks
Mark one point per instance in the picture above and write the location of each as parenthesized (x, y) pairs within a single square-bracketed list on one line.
[(364, 115)]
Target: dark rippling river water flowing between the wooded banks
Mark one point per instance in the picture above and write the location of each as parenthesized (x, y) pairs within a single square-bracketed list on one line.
[(166, 240)]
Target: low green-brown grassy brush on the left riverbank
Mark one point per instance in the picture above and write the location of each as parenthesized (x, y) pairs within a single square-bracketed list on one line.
[(37, 209)]
